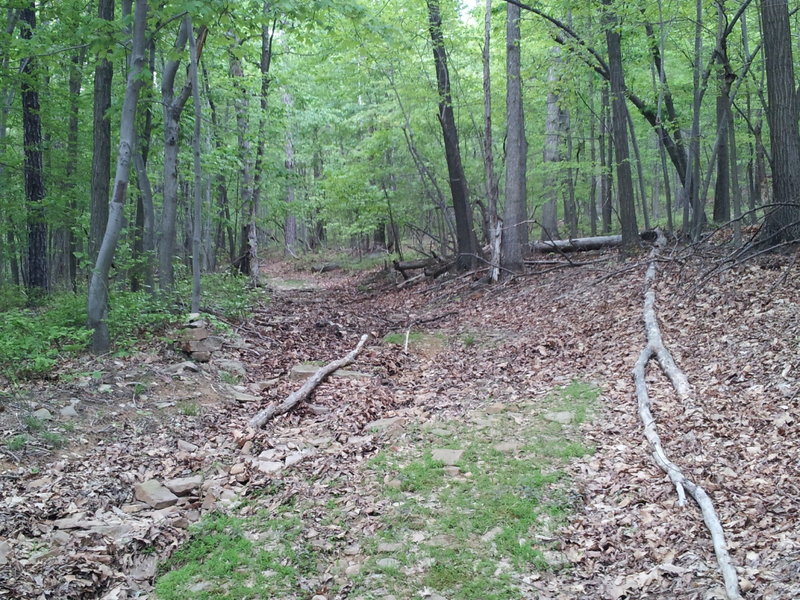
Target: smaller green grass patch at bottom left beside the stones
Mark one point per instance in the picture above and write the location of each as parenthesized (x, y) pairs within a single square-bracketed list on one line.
[(221, 560)]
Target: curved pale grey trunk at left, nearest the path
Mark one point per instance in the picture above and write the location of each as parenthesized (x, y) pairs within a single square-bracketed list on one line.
[(98, 286)]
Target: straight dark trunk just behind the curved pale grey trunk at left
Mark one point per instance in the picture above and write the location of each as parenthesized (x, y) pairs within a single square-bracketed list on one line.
[(101, 143)]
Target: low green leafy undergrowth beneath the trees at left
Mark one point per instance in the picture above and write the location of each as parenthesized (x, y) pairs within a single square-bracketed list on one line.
[(33, 341)]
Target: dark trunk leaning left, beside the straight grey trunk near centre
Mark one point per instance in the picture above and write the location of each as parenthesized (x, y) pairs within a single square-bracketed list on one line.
[(465, 237)]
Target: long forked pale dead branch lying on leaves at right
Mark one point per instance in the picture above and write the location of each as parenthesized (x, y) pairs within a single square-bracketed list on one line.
[(655, 349)]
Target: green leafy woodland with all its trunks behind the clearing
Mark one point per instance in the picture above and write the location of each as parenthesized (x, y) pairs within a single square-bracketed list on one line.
[(447, 128)]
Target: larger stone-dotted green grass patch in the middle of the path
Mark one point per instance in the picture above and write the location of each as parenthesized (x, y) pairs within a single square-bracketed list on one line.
[(474, 534)]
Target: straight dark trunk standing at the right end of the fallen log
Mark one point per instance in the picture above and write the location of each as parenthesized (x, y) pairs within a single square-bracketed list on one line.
[(627, 208)]
